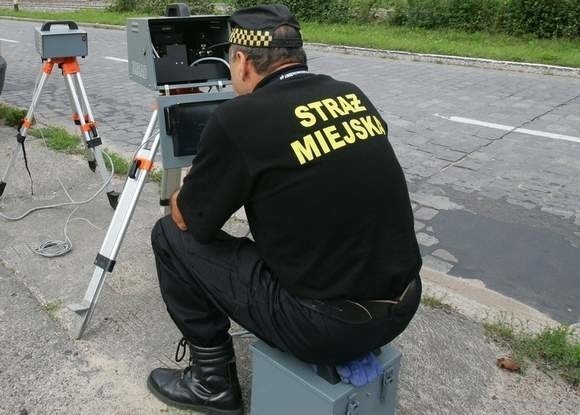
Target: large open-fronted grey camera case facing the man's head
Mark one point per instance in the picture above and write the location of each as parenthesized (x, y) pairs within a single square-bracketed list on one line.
[(168, 51)]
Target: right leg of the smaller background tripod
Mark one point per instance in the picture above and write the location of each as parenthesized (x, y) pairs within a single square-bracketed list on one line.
[(89, 132)]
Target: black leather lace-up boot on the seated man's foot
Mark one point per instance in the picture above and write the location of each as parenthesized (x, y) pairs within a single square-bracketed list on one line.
[(209, 384)]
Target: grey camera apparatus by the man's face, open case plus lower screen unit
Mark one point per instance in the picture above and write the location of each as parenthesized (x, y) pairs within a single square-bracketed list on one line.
[(179, 56)]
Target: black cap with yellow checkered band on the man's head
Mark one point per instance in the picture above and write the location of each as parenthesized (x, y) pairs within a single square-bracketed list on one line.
[(255, 27)]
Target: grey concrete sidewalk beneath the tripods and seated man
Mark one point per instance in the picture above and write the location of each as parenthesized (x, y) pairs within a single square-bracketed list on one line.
[(448, 365)]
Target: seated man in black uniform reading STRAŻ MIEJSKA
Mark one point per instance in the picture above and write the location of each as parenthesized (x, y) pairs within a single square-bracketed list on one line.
[(334, 269)]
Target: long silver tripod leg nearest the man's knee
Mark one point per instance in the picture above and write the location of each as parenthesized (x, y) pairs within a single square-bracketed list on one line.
[(107, 255)]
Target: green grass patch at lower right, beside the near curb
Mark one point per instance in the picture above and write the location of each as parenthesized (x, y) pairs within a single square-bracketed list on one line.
[(553, 349)]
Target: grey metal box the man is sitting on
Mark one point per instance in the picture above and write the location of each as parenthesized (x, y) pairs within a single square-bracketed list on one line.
[(283, 385)]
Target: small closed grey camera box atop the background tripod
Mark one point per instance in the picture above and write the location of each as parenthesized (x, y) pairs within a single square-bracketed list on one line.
[(53, 41)]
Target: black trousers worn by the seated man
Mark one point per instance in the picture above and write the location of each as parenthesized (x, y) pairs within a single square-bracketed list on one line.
[(203, 285)]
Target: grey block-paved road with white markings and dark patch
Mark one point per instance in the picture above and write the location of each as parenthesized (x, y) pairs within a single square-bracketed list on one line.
[(492, 157)]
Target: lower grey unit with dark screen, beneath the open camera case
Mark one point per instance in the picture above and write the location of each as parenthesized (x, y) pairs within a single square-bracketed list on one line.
[(200, 107)]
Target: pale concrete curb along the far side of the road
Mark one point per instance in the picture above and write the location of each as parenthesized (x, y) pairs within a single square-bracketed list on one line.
[(535, 68)]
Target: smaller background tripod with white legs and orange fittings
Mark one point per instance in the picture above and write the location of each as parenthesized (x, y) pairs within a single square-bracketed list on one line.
[(82, 116)]
